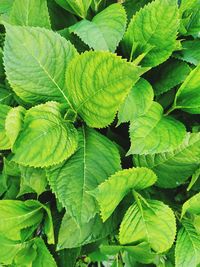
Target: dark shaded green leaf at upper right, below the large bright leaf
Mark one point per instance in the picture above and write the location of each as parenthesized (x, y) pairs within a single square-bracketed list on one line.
[(169, 75)]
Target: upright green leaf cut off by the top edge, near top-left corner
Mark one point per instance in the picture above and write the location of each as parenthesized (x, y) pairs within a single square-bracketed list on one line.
[(25, 13)]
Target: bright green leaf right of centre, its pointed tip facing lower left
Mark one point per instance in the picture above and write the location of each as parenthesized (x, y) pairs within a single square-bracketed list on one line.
[(155, 133)]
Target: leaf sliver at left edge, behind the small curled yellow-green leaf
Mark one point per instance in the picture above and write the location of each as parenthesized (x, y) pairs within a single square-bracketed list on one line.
[(4, 140)]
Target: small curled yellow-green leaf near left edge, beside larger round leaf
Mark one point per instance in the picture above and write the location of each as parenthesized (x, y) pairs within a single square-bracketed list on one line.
[(14, 122)]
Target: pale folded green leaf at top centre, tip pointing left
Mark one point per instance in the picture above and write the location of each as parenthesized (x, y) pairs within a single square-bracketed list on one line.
[(106, 29)]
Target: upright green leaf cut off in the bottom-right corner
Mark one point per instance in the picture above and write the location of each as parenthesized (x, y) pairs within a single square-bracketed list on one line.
[(187, 251)]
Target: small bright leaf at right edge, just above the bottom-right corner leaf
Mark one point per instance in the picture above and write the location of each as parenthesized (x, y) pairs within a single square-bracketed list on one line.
[(192, 205)]
